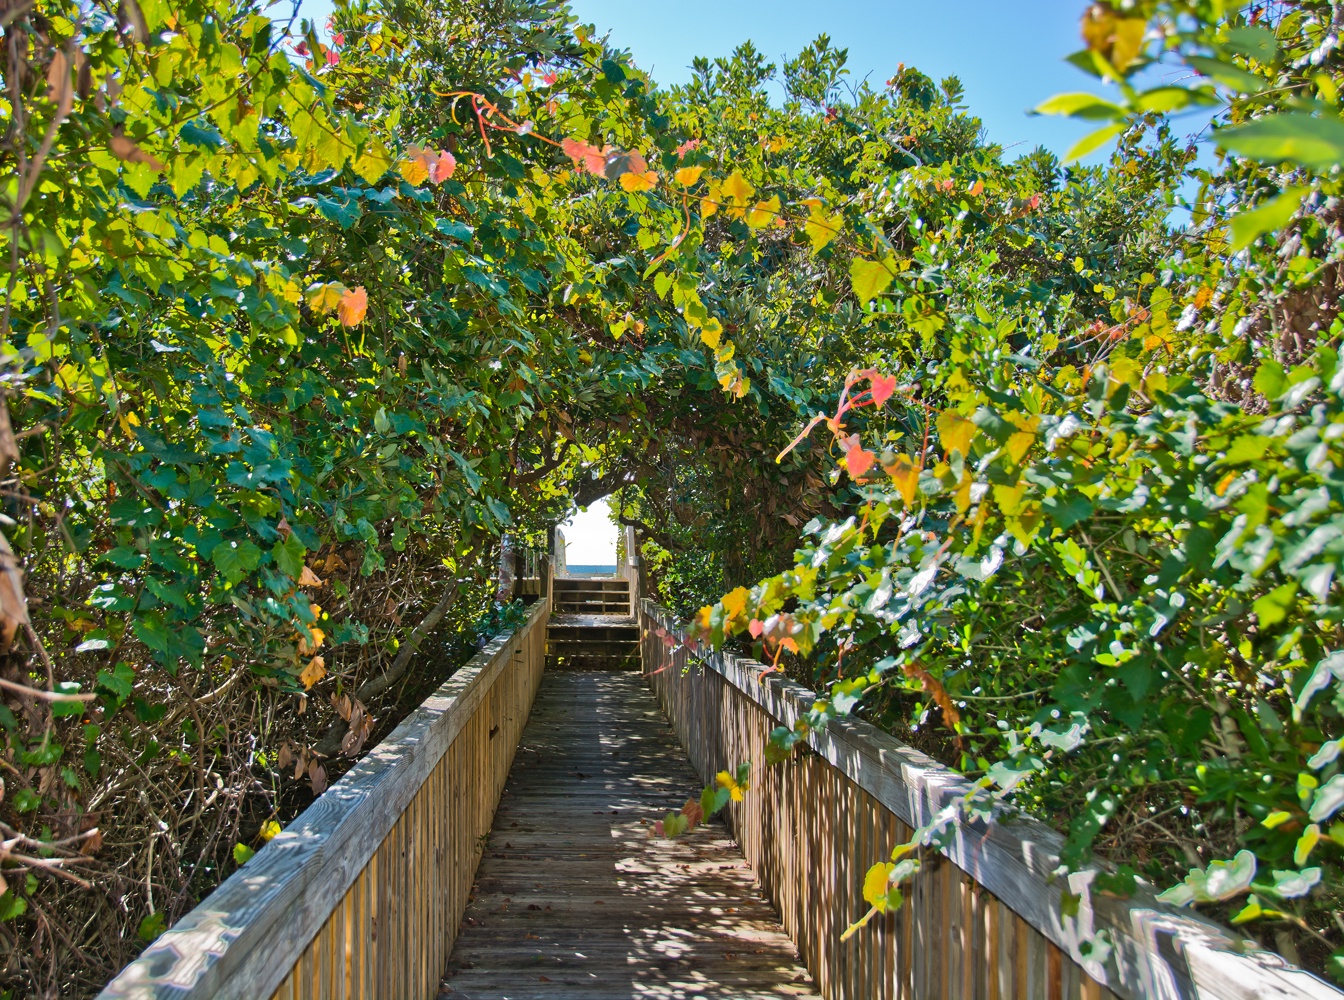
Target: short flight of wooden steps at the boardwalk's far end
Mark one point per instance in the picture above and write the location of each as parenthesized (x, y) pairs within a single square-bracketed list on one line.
[(592, 627)]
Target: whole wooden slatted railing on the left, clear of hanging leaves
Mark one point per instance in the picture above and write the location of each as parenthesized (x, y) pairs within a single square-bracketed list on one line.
[(364, 893)]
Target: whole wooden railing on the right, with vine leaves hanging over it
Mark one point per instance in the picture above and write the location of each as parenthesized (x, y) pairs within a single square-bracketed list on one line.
[(983, 920)]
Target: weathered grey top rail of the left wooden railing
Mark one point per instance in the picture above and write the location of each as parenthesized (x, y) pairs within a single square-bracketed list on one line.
[(245, 937)]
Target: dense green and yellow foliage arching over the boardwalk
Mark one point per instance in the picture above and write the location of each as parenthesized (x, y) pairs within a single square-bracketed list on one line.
[(300, 326)]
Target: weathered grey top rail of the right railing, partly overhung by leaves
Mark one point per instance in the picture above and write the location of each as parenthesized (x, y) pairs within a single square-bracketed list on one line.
[(1147, 950)]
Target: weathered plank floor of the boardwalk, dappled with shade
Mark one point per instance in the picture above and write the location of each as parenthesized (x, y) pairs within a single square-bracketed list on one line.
[(575, 901)]
